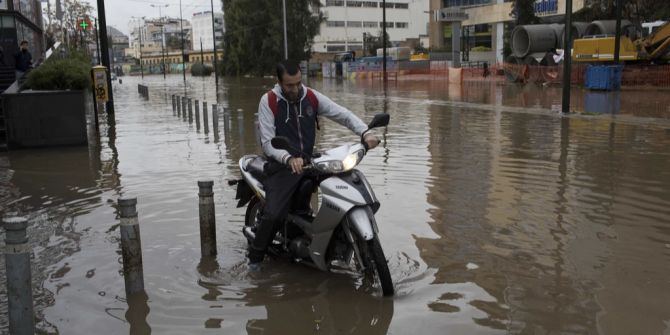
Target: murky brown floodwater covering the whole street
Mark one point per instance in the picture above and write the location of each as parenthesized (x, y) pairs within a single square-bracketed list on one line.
[(498, 216)]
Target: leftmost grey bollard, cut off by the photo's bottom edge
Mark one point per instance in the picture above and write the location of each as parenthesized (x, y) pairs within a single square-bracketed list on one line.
[(19, 281)]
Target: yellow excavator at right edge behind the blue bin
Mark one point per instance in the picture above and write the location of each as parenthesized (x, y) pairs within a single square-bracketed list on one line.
[(600, 48)]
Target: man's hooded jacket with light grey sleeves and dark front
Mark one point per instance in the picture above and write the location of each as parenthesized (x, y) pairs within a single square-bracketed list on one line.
[(297, 121)]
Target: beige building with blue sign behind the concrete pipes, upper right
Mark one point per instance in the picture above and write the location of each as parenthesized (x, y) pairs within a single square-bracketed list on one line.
[(485, 22)]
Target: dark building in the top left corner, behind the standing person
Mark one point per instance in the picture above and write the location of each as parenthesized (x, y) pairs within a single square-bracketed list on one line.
[(21, 20)]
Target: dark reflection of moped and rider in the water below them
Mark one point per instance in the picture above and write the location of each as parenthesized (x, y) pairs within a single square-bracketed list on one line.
[(321, 304)]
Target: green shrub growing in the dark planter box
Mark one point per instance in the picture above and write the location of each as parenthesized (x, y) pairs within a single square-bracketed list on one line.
[(72, 73)]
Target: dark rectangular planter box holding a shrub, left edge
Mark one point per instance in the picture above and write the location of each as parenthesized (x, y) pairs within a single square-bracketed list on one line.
[(46, 118)]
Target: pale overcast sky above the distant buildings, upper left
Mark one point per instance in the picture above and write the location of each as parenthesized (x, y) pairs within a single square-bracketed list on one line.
[(119, 12)]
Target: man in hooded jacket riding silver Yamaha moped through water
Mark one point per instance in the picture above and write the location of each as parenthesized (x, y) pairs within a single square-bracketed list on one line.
[(278, 187)]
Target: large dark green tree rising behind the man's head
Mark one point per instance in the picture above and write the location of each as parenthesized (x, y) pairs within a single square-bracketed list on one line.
[(254, 39)]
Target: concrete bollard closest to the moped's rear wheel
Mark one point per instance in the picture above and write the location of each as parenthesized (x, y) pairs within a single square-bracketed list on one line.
[(207, 219)]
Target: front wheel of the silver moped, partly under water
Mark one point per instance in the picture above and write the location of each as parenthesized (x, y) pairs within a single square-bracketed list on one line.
[(376, 268)]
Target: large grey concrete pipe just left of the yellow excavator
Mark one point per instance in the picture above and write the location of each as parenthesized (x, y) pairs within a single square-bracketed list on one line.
[(533, 38)]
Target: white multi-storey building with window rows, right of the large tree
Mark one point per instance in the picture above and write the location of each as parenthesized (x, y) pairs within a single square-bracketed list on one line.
[(347, 21)]
